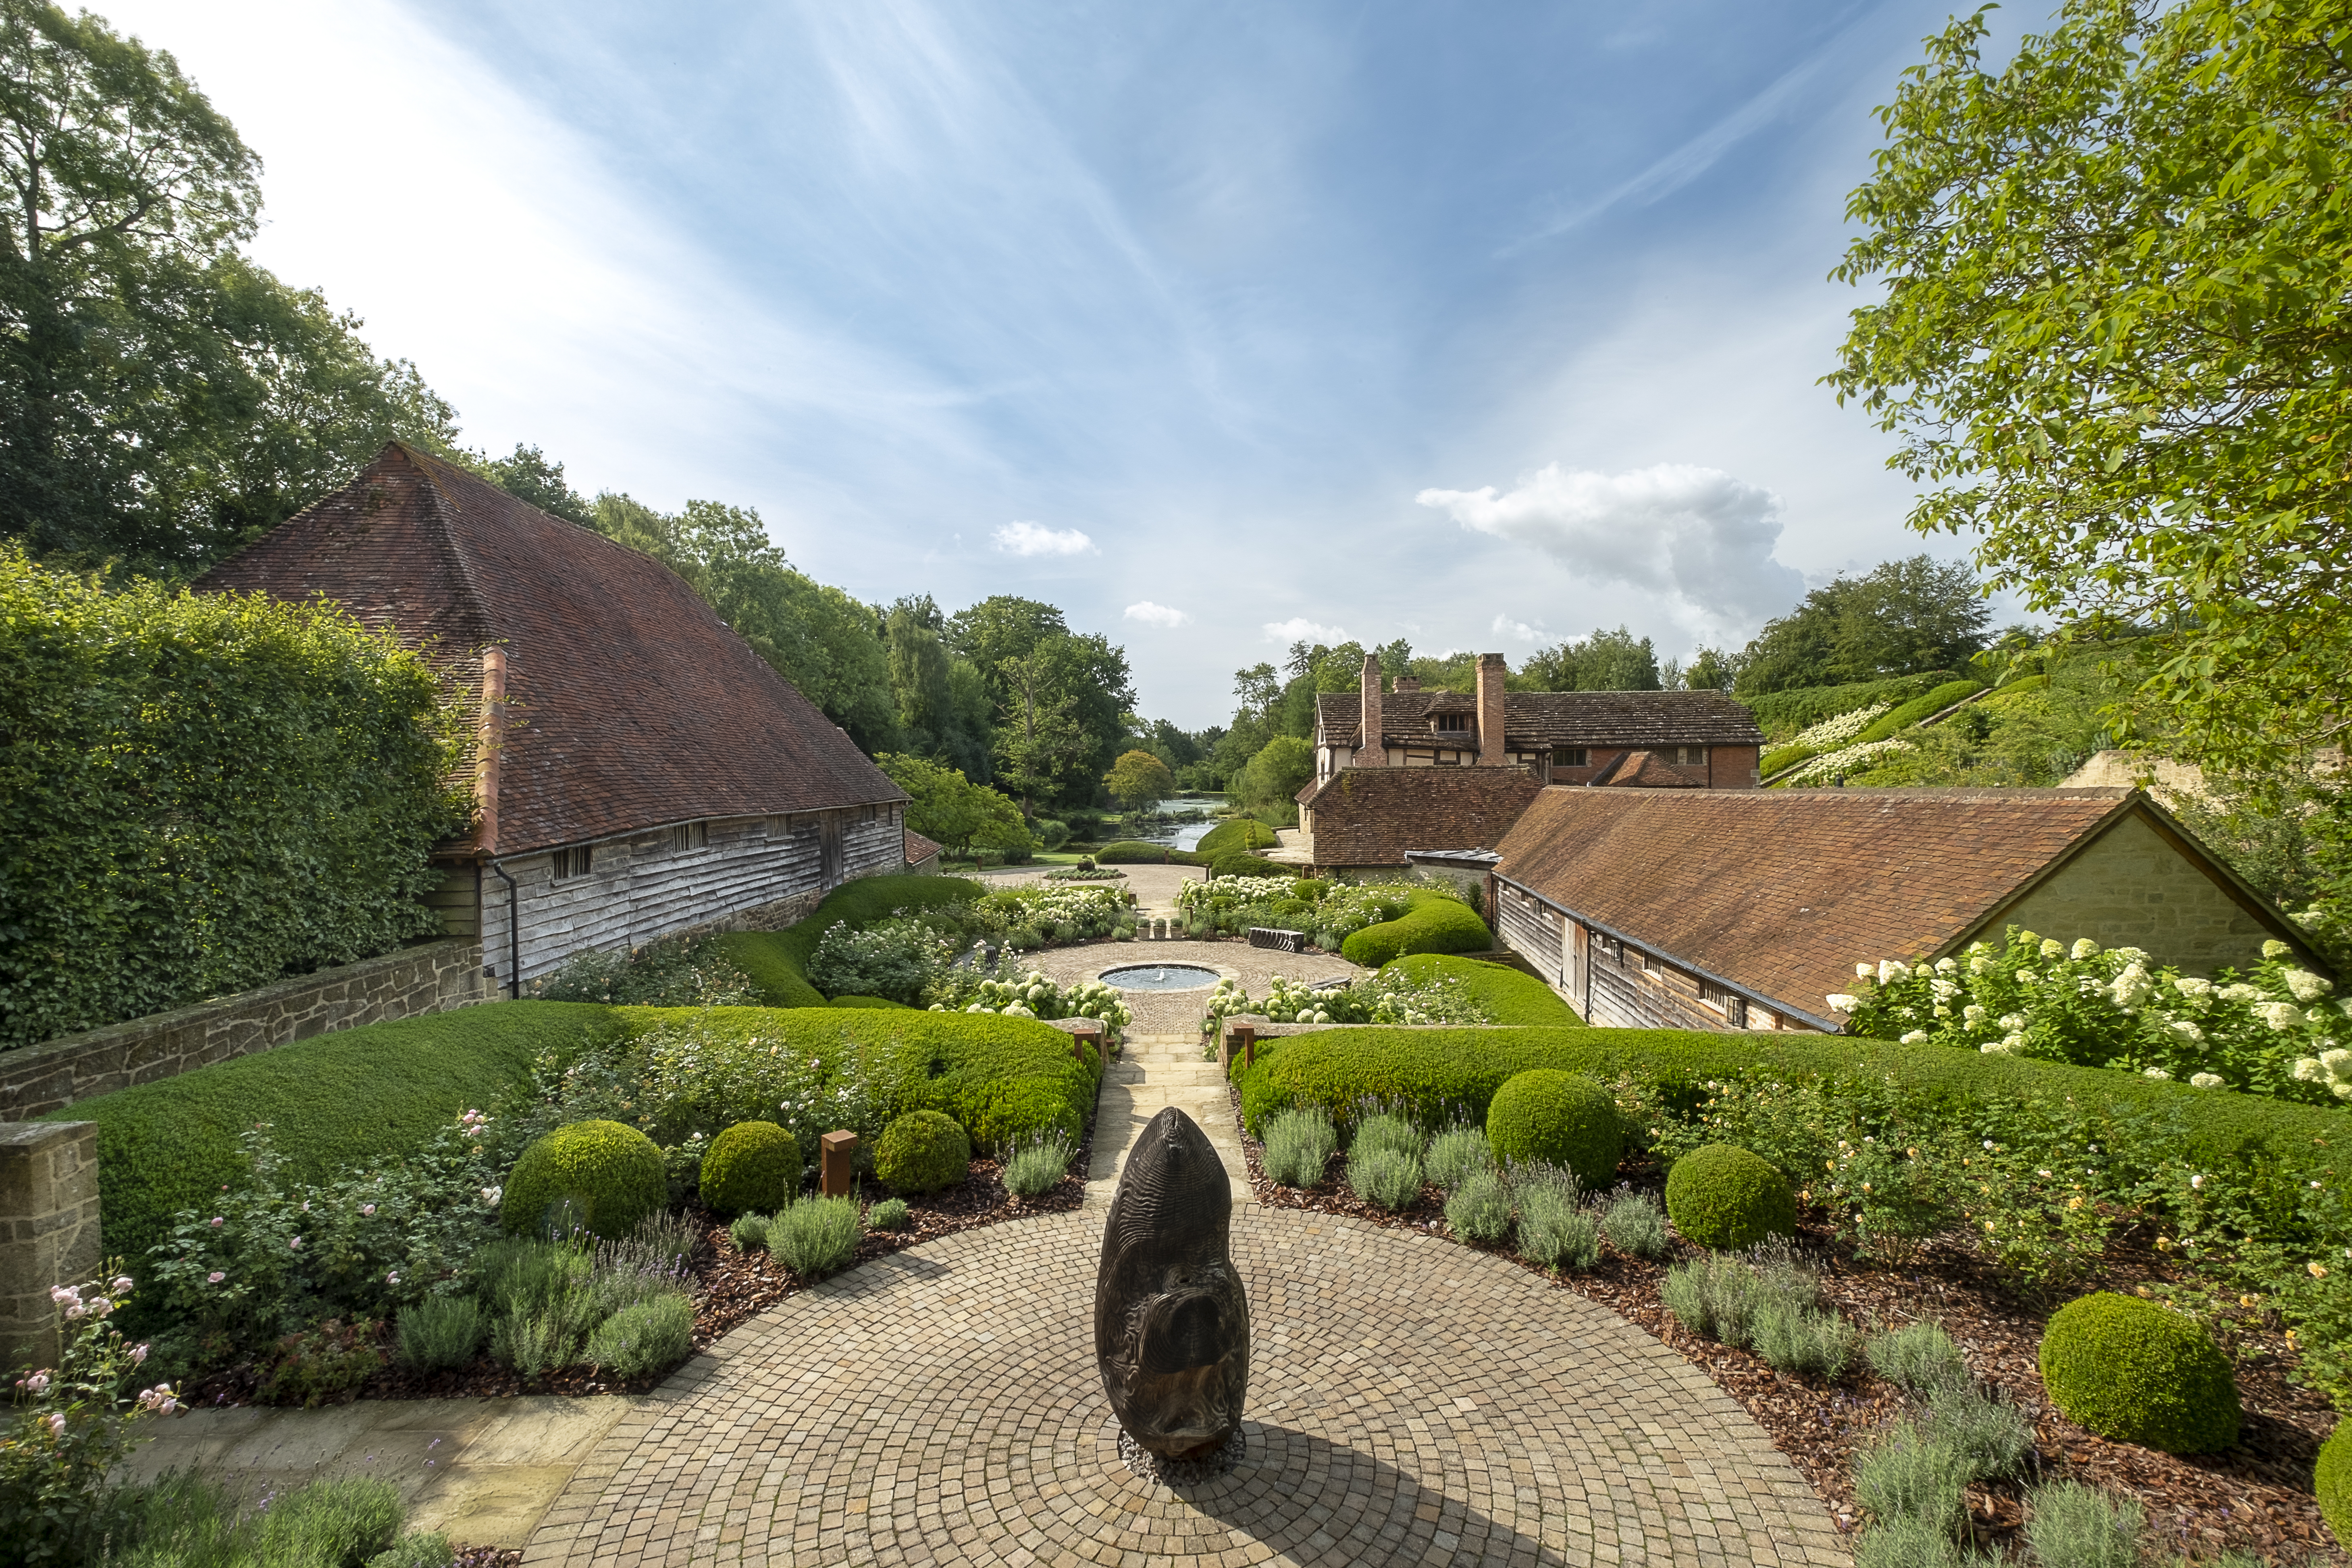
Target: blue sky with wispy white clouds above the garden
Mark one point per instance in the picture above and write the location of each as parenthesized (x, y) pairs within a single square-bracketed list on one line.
[(1215, 326)]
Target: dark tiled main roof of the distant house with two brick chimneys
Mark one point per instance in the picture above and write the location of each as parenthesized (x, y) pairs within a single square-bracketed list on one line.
[(1539, 721)]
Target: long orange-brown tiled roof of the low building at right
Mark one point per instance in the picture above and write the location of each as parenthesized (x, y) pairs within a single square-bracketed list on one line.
[(1786, 890)]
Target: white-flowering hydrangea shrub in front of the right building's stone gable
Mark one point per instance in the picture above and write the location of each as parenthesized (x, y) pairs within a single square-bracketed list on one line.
[(2278, 1031)]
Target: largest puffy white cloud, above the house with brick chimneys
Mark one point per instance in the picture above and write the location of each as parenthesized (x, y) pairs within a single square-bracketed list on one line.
[(1697, 537)]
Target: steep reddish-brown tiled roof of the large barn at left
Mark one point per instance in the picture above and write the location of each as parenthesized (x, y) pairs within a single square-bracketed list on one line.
[(629, 702)]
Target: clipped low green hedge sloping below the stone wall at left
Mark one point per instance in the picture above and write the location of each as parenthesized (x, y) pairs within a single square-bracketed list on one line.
[(333, 1101)]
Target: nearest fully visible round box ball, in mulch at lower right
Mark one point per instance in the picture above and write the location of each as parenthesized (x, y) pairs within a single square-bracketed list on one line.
[(2137, 1374)]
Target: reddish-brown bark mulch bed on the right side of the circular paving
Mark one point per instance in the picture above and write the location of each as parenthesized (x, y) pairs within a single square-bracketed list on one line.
[(2254, 1496)]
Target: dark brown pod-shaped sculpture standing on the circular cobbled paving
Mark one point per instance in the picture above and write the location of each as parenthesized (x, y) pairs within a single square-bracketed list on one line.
[(1170, 1315)]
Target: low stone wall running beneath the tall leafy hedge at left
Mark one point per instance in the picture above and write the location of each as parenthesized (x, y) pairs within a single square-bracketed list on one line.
[(406, 984)]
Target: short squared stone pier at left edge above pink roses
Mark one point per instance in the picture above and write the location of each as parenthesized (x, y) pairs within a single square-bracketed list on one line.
[(48, 1231)]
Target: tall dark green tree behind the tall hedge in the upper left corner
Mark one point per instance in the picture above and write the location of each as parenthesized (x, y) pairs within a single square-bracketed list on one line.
[(161, 396)]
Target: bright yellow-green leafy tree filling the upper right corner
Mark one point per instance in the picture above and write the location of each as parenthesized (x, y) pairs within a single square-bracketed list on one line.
[(2113, 340)]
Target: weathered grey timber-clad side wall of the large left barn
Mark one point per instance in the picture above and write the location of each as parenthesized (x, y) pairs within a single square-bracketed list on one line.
[(754, 871)]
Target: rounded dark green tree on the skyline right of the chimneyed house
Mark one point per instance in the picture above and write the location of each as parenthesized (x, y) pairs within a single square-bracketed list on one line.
[(1897, 619)]
